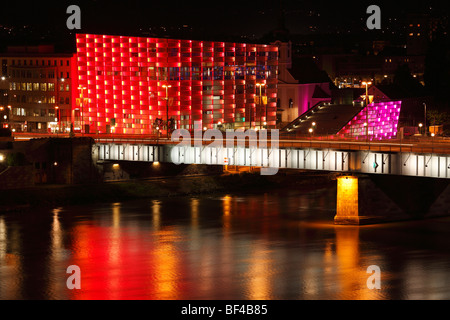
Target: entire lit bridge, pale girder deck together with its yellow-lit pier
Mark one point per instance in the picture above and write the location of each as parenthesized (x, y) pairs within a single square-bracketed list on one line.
[(382, 179)]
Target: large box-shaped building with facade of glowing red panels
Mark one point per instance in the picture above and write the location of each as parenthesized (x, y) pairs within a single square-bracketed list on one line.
[(129, 83)]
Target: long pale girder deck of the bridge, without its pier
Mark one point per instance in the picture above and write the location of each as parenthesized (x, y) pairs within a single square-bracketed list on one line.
[(423, 158)]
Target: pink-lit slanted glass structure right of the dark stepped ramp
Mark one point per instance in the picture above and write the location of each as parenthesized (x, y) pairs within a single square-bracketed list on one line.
[(382, 121)]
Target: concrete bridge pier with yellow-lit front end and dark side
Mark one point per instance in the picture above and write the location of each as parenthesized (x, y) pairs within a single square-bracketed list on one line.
[(366, 199)]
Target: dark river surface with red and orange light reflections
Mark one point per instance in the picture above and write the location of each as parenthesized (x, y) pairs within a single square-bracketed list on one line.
[(277, 245)]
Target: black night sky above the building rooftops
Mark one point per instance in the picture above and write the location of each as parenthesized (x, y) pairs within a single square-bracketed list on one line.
[(46, 21)]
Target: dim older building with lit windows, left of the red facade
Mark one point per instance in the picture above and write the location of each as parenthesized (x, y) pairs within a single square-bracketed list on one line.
[(37, 86)]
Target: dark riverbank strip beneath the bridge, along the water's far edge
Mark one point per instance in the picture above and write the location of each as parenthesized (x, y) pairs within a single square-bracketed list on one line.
[(60, 195)]
